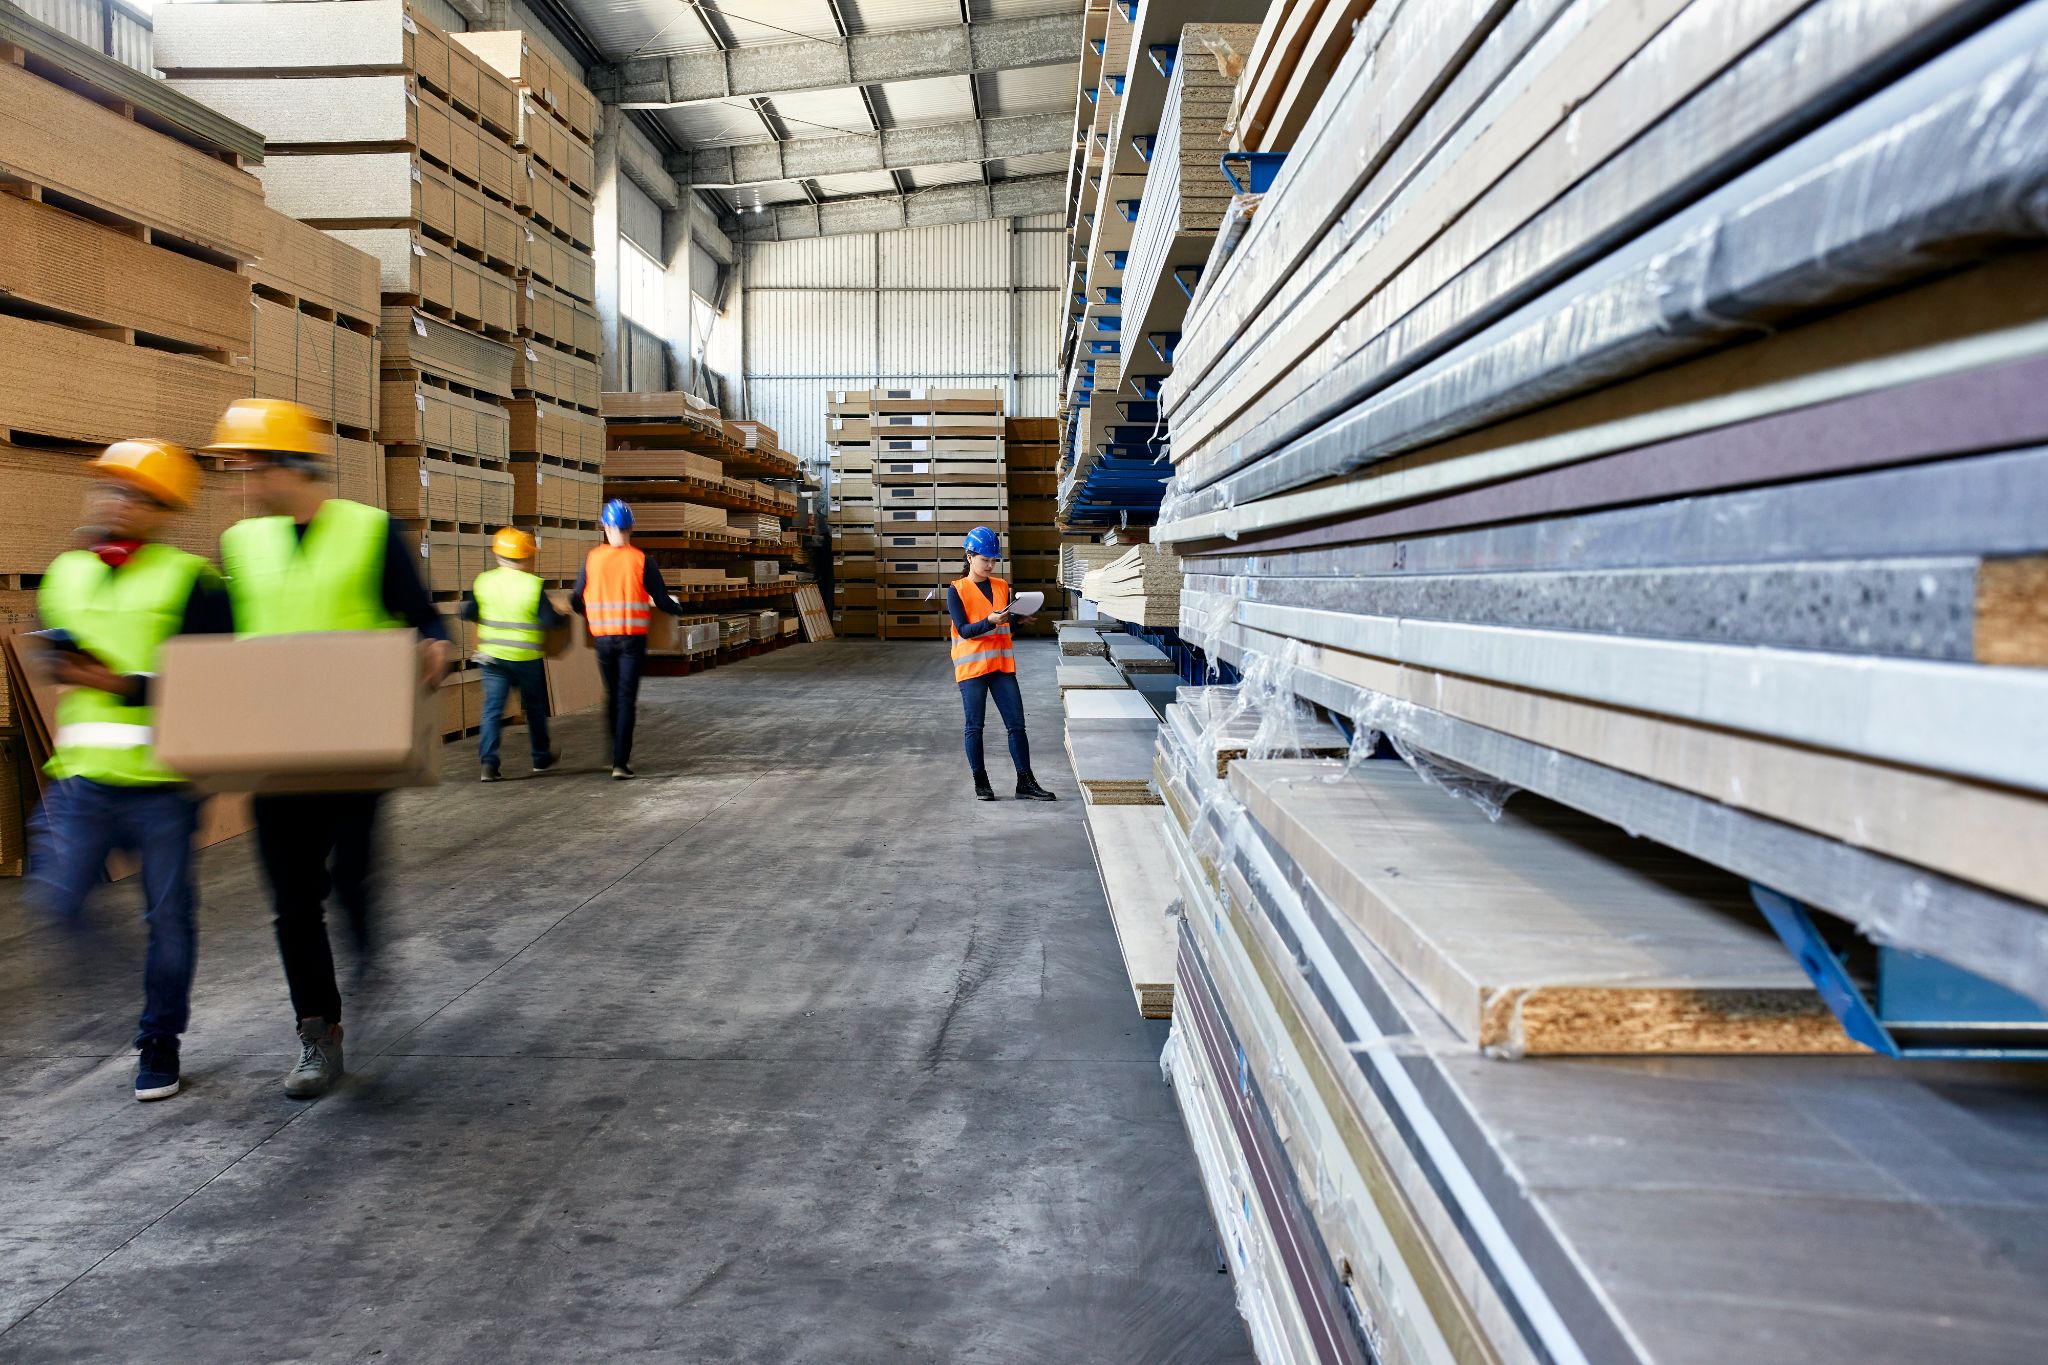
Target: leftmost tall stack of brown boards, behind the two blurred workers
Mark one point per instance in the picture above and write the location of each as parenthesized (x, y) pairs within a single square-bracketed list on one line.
[(126, 224)]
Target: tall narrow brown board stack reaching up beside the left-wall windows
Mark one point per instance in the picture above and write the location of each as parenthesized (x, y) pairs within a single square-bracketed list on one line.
[(558, 435)]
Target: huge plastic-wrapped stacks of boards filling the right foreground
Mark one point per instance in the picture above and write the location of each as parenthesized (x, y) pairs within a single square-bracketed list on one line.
[(1539, 433)]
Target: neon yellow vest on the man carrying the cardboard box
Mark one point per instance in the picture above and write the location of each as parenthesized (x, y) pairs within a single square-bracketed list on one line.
[(327, 580)]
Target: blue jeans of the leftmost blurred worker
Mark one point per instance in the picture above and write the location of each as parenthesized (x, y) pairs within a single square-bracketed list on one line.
[(77, 828)]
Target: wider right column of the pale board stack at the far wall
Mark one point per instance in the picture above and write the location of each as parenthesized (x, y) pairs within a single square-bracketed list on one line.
[(939, 474)]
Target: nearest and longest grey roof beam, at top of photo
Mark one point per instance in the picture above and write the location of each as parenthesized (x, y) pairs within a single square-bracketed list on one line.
[(828, 64)]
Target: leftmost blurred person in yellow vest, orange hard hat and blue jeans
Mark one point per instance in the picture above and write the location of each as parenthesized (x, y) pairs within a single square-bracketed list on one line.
[(116, 605)]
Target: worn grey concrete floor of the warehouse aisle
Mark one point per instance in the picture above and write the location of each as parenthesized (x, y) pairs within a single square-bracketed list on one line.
[(785, 1053)]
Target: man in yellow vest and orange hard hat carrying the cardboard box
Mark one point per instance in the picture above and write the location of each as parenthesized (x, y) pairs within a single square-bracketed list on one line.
[(316, 562)]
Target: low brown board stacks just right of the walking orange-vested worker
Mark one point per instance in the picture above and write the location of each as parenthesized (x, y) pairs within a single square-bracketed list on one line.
[(706, 509)]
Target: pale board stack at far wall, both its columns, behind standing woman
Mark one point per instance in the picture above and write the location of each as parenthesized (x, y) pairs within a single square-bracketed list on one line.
[(912, 472)]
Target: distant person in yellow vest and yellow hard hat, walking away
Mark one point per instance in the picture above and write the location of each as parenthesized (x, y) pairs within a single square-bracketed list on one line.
[(513, 625)]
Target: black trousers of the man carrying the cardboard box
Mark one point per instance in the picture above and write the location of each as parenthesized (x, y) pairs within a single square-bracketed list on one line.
[(310, 846)]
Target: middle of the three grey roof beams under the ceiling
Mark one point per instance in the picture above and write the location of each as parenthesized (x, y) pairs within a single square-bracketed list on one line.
[(937, 144)]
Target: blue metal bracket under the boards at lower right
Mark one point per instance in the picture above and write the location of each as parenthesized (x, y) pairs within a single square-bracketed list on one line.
[(1926, 1008)]
